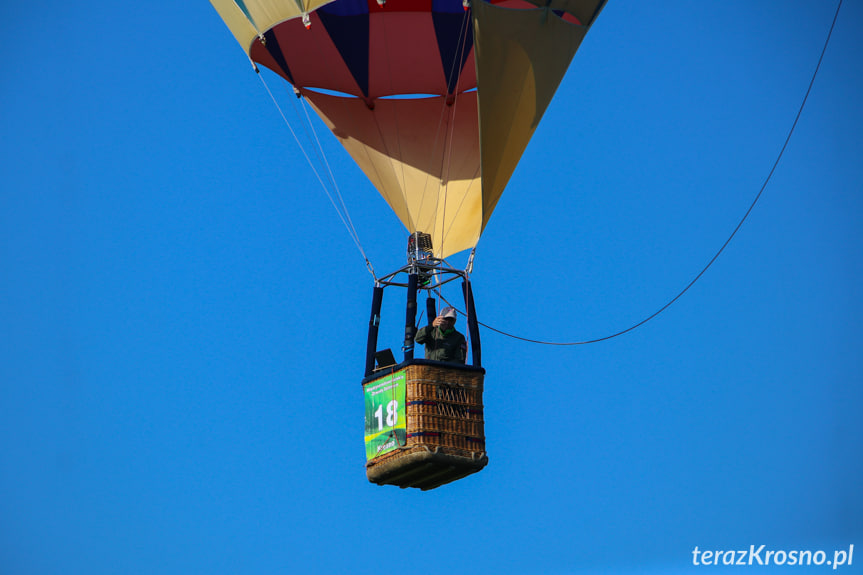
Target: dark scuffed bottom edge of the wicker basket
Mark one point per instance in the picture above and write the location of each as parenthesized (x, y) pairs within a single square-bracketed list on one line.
[(425, 469)]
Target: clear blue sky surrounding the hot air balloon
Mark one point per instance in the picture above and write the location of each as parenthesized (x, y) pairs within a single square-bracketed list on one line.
[(183, 315)]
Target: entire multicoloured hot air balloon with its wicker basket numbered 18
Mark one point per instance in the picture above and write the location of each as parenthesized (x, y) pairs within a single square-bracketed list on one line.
[(435, 100)]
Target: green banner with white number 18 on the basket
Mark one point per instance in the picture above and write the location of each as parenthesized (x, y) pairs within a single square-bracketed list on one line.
[(386, 427)]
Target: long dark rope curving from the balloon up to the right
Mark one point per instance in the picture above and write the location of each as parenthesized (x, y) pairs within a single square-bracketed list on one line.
[(721, 249)]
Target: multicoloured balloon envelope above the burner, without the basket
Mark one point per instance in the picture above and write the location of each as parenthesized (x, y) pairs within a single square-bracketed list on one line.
[(434, 102)]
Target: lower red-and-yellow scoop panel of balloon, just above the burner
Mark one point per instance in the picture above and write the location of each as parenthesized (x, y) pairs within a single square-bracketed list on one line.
[(421, 154)]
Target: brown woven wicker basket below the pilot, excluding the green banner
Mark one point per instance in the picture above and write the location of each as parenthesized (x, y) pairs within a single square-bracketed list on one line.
[(445, 432)]
